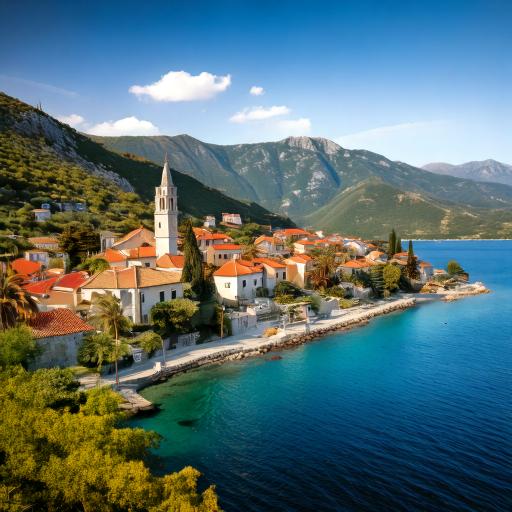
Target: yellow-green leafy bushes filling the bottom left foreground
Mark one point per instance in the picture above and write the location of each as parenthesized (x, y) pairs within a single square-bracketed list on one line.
[(62, 449)]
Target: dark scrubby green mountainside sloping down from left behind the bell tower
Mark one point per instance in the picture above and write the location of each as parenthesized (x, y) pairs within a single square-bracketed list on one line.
[(43, 160)]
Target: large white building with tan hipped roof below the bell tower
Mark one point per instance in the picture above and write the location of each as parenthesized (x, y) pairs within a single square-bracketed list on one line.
[(138, 288)]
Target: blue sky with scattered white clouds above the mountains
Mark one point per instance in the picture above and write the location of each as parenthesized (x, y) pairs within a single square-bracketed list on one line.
[(416, 81)]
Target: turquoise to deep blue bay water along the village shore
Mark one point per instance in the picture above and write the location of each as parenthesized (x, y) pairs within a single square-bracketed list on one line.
[(412, 412)]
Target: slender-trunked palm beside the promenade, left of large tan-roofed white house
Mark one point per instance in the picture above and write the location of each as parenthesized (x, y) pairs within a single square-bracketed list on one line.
[(107, 314)]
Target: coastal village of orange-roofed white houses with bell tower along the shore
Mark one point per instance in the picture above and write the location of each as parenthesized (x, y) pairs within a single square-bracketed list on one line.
[(147, 296)]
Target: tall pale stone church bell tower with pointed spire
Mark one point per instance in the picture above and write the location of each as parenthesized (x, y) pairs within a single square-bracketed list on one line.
[(166, 214)]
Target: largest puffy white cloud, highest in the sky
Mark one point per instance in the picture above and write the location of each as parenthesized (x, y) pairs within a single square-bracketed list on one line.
[(182, 86)]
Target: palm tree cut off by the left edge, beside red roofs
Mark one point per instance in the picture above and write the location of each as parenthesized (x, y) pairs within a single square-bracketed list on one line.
[(15, 303)]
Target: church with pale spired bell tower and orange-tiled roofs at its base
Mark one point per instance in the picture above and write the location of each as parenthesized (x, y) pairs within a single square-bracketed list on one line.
[(142, 247)]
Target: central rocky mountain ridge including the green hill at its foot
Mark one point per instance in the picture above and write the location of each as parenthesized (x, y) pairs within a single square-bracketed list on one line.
[(320, 184)]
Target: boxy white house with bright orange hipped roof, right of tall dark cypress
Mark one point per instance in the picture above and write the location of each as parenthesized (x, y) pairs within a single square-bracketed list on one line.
[(237, 281)]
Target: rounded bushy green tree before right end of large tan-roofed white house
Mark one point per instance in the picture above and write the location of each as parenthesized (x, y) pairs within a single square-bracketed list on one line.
[(174, 316)]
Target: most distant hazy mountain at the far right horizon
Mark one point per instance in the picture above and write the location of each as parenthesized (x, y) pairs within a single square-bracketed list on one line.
[(485, 170)]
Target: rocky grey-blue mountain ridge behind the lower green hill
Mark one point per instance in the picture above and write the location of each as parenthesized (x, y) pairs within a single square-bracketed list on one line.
[(297, 175)]
